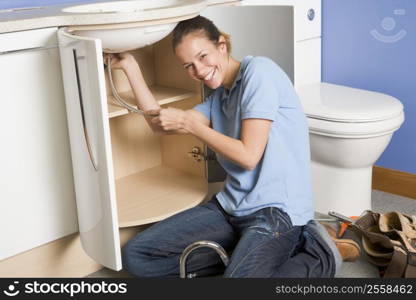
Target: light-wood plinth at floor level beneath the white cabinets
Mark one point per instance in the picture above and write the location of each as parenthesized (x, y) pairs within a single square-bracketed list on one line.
[(61, 258)]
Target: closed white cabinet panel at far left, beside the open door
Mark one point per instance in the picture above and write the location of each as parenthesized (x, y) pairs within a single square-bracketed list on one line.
[(37, 201)]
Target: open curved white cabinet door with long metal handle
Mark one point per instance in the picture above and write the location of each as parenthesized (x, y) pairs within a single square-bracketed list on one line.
[(86, 105)]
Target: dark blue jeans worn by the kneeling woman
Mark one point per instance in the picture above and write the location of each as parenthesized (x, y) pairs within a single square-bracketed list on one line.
[(263, 244)]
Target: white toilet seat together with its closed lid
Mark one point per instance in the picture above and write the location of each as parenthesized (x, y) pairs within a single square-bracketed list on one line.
[(342, 111)]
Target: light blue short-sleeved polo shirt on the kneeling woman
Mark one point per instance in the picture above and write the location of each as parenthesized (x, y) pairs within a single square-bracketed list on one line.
[(281, 179)]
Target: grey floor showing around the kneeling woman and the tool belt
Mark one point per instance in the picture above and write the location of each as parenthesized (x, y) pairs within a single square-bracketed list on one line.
[(381, 202)]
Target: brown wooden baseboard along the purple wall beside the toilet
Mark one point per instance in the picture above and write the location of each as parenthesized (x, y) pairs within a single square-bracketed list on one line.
[(394, 182)]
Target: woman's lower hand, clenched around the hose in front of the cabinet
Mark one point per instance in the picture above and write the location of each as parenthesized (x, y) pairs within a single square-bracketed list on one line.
[(172, 120)]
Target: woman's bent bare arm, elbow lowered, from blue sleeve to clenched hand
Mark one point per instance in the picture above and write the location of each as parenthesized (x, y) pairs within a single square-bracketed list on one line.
[(246, 151)]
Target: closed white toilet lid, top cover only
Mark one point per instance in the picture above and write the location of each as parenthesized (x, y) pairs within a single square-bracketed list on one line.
[(338, 103)]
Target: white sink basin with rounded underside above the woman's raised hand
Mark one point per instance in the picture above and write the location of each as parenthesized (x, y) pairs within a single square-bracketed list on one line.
[(155, 20)]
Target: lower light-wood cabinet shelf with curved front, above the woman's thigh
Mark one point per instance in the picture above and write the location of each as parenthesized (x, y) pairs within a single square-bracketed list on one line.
[(157, 193)]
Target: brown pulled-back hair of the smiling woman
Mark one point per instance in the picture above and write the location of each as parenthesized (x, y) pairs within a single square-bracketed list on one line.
[(200, 25)]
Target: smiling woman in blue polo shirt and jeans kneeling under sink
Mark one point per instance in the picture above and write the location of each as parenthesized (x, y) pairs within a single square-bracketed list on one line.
[(254, 122)]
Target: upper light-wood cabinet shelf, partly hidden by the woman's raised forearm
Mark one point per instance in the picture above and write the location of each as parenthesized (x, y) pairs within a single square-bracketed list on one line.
[(162, 94)]
